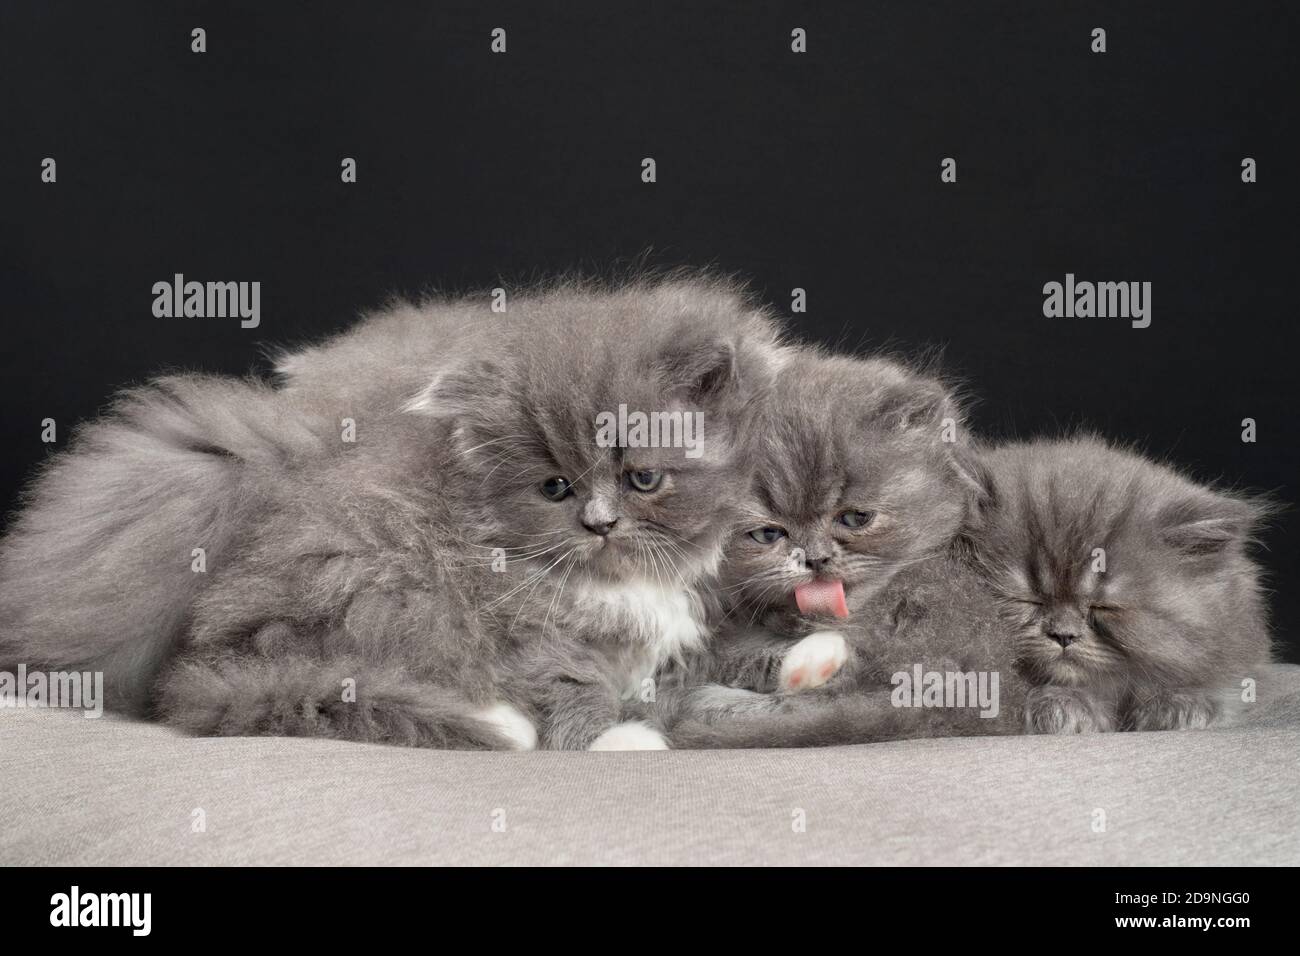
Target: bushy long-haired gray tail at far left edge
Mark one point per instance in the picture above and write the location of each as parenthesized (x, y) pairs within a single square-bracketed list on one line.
[(101, 568)]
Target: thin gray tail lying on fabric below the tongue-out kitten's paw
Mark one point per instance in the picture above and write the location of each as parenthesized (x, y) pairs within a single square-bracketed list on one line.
[(772, 721)]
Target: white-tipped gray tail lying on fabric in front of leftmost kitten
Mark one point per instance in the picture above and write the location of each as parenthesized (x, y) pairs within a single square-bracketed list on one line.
[(341, 699)]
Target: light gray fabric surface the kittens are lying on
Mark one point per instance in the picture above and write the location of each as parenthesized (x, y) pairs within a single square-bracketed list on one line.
[(114, 793)]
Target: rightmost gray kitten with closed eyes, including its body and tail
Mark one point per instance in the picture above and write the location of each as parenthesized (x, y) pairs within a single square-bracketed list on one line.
[(1107, 591)]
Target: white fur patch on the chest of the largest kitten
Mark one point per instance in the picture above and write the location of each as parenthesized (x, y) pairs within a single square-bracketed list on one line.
[(666, 621)]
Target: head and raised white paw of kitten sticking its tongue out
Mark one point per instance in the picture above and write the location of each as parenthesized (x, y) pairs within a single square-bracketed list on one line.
[(859, 478)]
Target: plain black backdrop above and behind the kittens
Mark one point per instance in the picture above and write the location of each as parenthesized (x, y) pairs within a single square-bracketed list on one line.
[(820, 171)]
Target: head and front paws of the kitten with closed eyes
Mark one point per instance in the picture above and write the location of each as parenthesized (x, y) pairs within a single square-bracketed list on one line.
[(1129, 591)]
